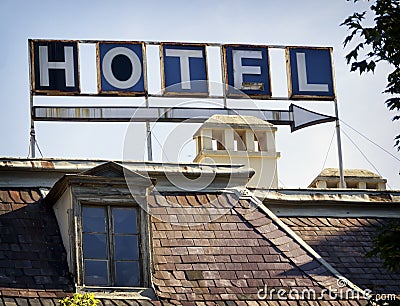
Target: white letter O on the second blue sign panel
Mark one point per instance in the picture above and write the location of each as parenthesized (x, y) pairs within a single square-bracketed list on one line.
[(136, 68)]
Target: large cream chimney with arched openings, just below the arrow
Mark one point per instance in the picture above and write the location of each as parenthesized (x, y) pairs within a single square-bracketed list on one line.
[(243, 140)]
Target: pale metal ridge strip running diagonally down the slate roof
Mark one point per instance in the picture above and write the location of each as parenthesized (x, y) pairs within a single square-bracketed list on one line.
[(248, 195)]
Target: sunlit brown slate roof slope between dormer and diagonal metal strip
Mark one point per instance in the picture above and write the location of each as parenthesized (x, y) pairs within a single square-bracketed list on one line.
[(230, 258)]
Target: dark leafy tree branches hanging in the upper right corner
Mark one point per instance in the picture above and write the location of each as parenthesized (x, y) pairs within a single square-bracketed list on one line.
[(380, 42)]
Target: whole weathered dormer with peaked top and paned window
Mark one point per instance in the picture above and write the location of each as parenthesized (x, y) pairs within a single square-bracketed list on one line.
[(104, 230)]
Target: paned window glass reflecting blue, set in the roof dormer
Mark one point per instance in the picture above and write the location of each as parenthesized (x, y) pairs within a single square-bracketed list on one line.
[(110, 238)]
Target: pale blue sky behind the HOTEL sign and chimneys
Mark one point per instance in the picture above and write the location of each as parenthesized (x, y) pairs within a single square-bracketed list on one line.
[(304, 153)]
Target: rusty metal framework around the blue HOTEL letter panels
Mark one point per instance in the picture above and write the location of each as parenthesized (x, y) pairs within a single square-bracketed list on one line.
[(100, 92)]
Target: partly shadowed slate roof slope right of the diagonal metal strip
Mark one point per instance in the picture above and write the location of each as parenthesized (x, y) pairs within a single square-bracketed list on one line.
[(343, 242)]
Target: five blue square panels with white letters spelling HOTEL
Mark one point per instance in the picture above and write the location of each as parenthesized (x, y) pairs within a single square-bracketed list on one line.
[(121, 70)]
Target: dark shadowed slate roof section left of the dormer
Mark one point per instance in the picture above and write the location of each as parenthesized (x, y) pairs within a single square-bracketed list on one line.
[(32, 255)]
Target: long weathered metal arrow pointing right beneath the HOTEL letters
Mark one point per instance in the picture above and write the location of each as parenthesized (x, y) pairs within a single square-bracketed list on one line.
[(297, 117)]
